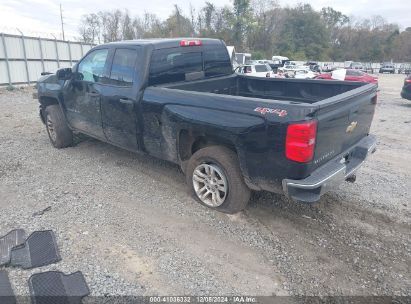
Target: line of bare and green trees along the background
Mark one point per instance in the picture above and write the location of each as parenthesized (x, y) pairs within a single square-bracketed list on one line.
[(263, 28)]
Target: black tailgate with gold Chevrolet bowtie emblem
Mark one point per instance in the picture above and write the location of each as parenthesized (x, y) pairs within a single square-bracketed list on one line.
[(343, 120)]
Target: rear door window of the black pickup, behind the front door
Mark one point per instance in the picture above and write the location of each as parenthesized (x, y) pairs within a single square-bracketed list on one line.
[(123, 67)]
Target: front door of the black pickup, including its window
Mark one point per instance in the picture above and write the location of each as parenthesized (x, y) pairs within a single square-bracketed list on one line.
[(82, 97)]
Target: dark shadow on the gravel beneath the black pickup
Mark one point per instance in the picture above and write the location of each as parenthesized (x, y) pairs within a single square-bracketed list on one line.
[(262, 204)]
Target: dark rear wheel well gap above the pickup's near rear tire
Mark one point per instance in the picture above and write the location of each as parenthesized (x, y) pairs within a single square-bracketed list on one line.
[(190, 142)]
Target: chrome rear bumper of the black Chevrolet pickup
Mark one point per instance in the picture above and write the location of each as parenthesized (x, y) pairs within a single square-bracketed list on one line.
[(331, 174)]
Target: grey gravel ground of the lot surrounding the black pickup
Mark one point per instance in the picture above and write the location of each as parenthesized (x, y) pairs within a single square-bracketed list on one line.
[(127, 222)]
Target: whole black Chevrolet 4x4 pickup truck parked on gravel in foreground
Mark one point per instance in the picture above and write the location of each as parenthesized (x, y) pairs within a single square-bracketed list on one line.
[(179, 100)]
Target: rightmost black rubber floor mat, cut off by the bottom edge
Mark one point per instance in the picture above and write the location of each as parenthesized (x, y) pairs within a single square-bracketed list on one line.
[(56, 287)]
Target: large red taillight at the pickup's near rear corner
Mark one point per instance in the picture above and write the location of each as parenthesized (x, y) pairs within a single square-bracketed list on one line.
[(300, 141)]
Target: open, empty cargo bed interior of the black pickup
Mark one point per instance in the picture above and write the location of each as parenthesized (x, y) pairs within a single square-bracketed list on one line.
[(293, 90)]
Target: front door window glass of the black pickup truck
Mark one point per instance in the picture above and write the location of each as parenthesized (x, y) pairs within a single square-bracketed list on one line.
[(92, 67)]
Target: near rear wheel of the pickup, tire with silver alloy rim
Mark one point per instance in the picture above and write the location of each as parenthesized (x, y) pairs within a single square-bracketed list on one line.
[(223, 173)]
